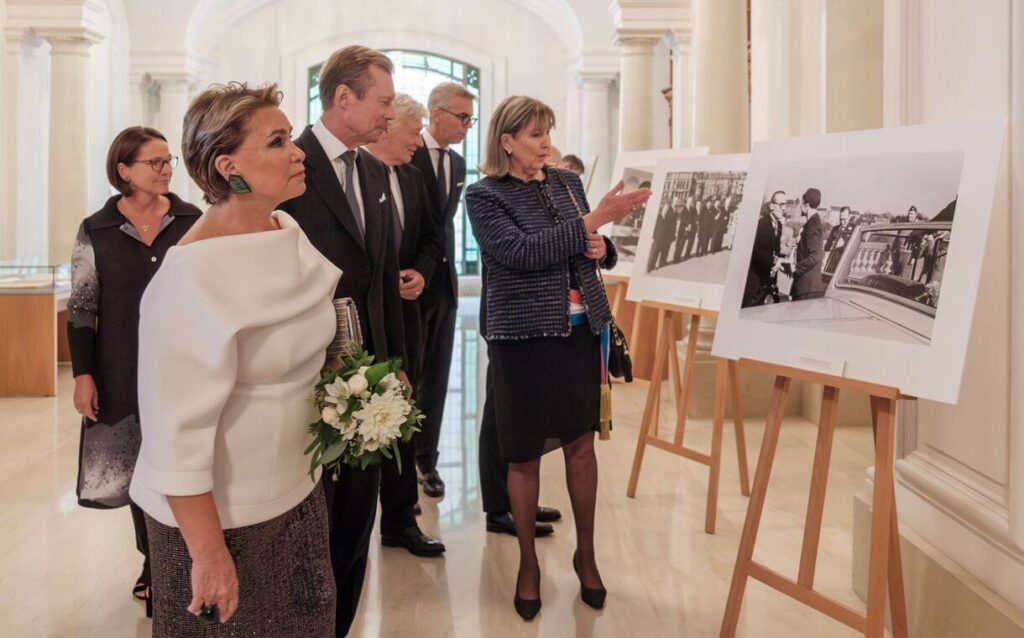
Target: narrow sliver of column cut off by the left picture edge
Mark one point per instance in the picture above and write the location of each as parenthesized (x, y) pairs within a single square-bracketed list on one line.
[(9, 144)]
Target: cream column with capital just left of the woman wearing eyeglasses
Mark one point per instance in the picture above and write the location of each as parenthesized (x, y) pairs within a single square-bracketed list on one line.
[(69, 148)]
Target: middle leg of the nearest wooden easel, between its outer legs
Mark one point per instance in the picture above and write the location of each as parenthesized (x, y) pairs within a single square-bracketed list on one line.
[(820, 480)]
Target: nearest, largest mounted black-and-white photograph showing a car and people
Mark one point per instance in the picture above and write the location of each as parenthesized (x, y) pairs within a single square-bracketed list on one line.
[(859, 254)]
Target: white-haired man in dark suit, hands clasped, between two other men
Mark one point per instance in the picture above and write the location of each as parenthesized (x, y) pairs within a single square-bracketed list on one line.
[(419, 252)]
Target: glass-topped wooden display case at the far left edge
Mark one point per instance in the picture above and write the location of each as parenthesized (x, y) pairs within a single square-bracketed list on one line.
[(33, 327)]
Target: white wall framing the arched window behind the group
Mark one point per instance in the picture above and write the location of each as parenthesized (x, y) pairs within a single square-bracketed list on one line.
[(517, 51)]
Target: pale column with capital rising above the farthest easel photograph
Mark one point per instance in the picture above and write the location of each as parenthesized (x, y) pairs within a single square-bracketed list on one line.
[(636, 91)]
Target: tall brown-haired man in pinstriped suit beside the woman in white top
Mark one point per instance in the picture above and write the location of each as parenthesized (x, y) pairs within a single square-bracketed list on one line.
[(347, 215)]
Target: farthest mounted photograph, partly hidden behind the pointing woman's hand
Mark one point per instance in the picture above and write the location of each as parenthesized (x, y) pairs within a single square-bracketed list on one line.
[(636, 171)]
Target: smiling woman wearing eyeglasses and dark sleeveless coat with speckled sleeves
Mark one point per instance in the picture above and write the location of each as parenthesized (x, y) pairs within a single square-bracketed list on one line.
[(117, 252)]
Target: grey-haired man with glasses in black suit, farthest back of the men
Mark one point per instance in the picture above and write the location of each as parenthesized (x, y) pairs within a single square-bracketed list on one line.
[(451, 113)]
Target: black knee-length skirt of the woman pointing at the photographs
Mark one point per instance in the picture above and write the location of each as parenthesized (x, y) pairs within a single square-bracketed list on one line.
[(546, 392)]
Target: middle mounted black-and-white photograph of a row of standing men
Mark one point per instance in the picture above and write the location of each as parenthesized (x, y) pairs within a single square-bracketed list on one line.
[(689, 230)]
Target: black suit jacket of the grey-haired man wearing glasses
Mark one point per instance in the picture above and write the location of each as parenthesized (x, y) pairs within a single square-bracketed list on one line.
[(443, 215)]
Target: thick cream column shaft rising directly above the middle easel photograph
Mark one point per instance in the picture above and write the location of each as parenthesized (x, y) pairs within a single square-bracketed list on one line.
[(721, 105)]
